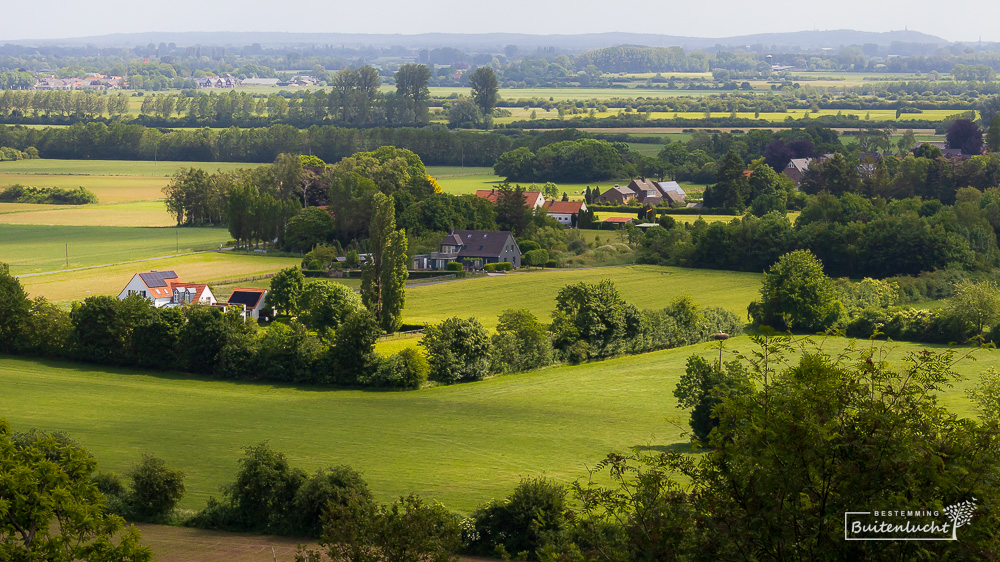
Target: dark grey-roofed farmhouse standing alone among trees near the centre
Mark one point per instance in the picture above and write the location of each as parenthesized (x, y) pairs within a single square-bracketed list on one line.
[(473, 248)]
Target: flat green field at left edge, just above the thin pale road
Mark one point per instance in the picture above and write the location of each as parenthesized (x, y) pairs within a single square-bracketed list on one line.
[(30, 248)]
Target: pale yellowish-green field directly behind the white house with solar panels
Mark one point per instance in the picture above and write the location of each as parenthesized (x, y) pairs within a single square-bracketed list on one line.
[(210, 267)]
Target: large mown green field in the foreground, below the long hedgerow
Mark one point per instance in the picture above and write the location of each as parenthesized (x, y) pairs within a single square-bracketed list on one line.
[(461, 445)]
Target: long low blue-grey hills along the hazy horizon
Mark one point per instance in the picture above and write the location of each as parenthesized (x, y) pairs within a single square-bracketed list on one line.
[(493, 42)]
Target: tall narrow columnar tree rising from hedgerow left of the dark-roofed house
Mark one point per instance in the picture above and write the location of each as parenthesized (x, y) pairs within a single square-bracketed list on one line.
[(383, 275)]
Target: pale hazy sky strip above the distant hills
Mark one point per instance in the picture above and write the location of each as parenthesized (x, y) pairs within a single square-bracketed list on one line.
[(956, 20)]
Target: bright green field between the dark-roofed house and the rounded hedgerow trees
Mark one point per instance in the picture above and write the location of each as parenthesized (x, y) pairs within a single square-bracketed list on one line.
[(645, 286)]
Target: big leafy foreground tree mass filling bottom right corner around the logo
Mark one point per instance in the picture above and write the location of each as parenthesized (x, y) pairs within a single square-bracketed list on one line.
[(811, 438)]
